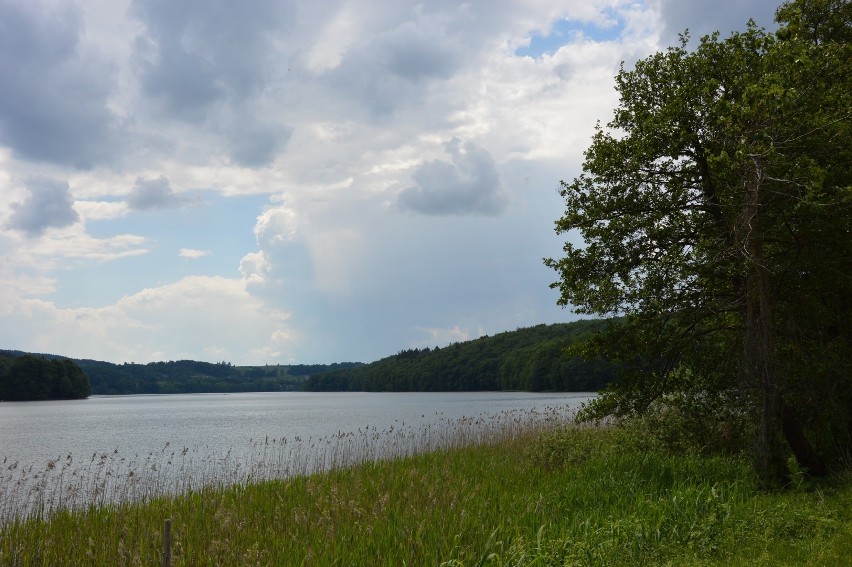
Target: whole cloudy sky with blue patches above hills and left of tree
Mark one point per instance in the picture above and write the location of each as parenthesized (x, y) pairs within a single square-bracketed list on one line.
[(280, 181)]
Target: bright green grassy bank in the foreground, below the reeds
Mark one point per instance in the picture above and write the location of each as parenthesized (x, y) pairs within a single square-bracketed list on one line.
[(544, 496)]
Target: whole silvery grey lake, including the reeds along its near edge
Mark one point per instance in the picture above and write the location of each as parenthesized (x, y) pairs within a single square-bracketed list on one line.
[(109, 448)]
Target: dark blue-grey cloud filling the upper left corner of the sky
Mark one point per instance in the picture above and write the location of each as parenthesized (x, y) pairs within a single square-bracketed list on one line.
[(53, 90)]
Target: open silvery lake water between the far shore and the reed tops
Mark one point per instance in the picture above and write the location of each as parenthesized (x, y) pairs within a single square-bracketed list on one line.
[(36, 432)]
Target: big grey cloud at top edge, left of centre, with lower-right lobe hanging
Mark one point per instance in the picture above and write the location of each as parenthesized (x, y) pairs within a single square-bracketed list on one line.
[(210, 63)]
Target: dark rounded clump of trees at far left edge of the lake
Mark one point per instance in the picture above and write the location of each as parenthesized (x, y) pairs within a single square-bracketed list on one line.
[(28, 377)]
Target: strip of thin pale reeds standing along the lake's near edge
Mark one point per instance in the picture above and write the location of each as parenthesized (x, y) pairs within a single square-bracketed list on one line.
[(109, 477)]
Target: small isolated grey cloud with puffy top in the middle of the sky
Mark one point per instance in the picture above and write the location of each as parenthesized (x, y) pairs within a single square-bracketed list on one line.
[(470, 185)]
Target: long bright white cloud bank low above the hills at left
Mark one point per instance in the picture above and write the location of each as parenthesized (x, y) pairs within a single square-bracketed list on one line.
[(184, 319)]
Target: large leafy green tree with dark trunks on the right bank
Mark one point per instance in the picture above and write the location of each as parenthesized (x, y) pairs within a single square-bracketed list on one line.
[(715, 211)]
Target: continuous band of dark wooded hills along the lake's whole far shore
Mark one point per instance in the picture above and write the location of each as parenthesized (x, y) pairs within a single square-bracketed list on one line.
[(529, 359)]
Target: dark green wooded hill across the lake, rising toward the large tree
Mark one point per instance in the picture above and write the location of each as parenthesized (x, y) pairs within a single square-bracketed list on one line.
[(529, 359)]
